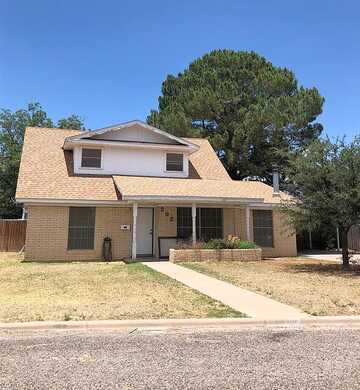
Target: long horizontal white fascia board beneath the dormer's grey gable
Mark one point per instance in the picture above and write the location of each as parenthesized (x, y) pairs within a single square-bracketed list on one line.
[(69, 144)]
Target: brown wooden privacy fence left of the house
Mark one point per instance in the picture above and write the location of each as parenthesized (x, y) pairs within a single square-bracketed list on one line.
[(12, 234)]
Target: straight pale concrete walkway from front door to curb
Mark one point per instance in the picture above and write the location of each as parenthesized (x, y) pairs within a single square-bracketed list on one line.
[(244, 301)]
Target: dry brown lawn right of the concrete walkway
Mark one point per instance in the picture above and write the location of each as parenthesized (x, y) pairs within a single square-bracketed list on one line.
[(316, 287)]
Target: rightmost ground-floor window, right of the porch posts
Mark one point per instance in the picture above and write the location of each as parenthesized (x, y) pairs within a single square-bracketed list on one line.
[(263, 228)]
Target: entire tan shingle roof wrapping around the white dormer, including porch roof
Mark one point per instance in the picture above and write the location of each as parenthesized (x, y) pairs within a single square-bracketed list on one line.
[(46, 172)]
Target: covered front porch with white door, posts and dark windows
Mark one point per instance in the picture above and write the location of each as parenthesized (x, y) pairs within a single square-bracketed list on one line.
[(158, 228)]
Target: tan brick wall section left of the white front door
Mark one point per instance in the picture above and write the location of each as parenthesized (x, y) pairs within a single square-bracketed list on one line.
[(47, 234)]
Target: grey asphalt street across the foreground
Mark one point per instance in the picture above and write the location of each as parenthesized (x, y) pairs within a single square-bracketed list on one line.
[(201, 359)]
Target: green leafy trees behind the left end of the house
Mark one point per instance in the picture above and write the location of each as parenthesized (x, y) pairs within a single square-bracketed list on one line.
[(12, 127)]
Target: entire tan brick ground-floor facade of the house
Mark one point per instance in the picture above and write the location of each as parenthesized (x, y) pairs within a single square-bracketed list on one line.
[(47, 232)]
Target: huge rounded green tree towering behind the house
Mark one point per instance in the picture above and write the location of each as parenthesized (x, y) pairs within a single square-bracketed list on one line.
[(254, 114)]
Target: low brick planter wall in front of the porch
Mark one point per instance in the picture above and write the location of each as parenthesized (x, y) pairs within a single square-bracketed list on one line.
[(178, 255)]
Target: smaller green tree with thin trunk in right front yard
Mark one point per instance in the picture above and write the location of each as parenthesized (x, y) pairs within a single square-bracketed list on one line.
[(326, 183)]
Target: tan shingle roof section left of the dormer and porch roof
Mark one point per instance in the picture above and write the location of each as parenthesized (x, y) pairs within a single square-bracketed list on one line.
[(46, 170)]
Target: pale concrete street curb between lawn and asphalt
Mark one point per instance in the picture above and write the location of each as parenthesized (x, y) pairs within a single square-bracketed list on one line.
[(166, 324)]
